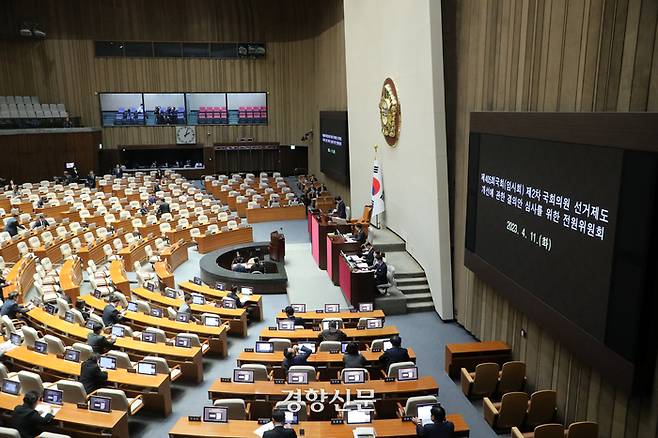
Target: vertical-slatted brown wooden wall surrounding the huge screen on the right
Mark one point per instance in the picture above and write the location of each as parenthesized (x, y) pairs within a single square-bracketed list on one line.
[(548, 55)]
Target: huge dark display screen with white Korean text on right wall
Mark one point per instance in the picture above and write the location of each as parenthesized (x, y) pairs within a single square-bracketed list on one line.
[(565, 230)]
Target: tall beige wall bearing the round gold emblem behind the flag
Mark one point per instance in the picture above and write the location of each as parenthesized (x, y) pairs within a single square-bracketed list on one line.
[(402, 40)]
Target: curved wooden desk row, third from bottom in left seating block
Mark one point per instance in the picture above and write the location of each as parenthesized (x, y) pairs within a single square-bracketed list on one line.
[(189, 359)]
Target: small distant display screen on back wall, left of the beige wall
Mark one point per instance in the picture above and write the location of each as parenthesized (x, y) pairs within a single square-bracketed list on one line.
[(334, 145)]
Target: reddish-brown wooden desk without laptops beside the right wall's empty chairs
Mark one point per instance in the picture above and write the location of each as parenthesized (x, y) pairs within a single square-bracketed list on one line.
[(469, 355)]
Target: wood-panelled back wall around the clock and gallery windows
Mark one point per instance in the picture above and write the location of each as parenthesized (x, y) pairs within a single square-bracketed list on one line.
[(303, 72)]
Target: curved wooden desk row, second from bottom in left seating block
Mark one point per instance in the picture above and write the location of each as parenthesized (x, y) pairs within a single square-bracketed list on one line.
[(155, 390)]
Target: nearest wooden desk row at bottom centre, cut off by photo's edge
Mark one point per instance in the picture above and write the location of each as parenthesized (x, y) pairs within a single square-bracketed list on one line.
[(386, 428)]
